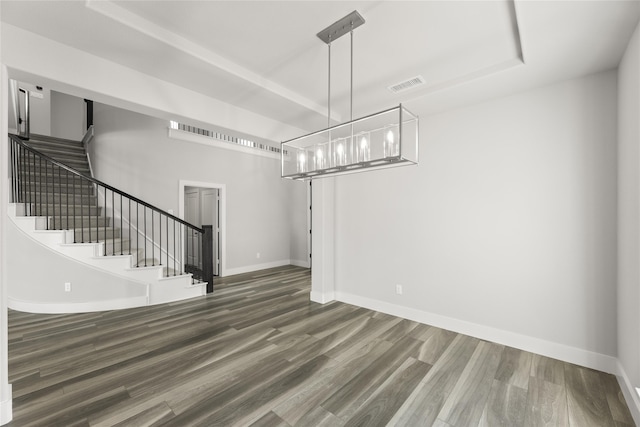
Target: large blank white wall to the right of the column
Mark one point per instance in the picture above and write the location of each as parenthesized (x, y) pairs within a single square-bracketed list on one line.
[(506, 228)]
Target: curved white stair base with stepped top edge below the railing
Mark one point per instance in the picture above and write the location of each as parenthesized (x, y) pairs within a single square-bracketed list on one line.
[(44, 261)]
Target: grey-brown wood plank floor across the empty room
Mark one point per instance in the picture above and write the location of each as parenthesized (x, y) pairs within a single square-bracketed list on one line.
[(257, 352)]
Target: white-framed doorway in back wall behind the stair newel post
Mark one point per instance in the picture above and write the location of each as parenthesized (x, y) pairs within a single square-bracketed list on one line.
[(203, 204)]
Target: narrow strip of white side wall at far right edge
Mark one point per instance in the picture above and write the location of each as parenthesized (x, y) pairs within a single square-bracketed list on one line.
[(629, 211)]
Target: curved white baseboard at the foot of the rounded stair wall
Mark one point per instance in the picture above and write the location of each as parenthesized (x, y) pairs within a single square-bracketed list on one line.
[(77, 307)]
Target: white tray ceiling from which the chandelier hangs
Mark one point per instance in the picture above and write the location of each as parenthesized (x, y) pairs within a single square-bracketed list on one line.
[(264, 55)]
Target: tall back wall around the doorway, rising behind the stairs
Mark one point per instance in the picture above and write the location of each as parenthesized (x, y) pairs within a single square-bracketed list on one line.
[(132, 152)]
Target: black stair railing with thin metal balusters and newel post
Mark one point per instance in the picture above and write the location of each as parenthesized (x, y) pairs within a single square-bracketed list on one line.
[(100, 213)]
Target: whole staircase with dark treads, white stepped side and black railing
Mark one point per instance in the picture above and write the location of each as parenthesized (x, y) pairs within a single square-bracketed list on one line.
[(58, 203)]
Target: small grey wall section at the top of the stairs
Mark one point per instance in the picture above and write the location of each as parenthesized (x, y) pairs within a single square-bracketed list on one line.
[(67, 116)]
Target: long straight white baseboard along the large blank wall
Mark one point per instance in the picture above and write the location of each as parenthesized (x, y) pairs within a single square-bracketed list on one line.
[(589, 359)]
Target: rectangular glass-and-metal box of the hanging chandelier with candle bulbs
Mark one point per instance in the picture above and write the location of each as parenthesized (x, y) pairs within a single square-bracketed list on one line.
[(381, 140)]
